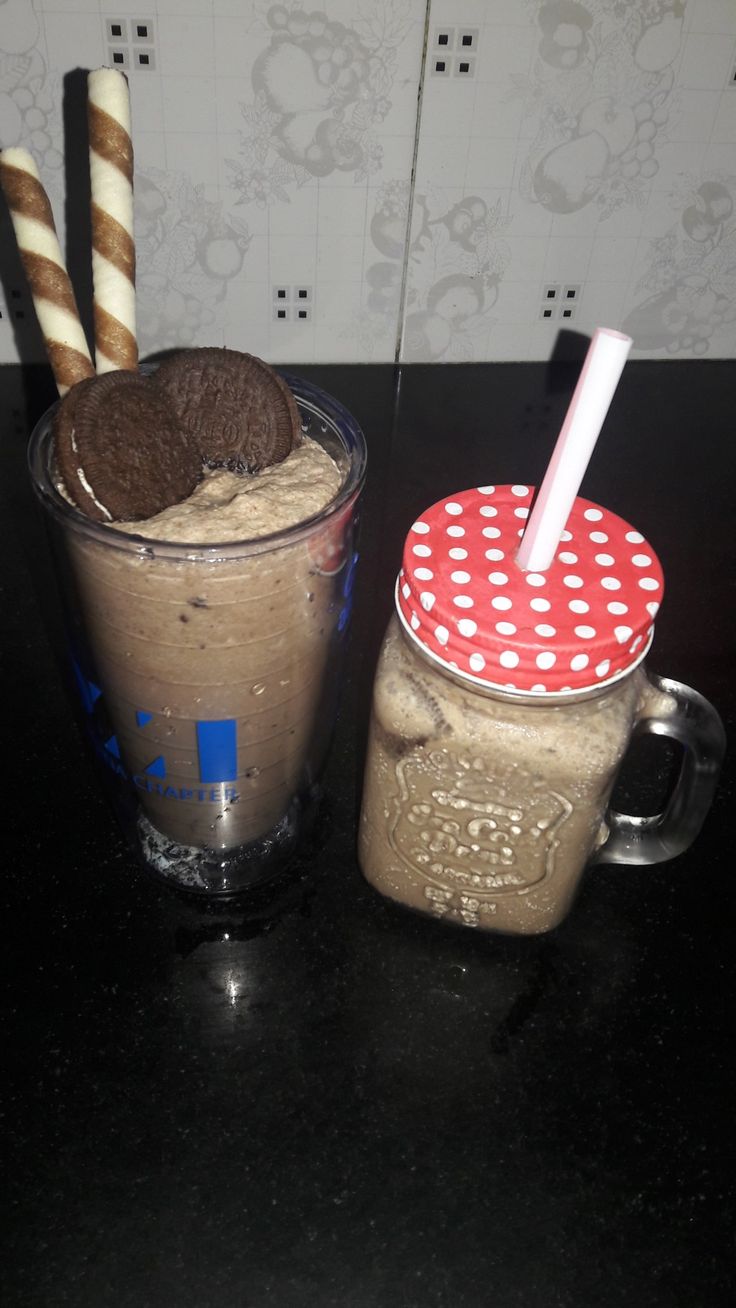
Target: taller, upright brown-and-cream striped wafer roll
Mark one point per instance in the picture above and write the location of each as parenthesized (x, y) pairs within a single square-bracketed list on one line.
[(113, 249)]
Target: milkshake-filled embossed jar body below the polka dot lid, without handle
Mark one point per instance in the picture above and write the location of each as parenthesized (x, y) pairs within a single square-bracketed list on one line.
[(484, 809)]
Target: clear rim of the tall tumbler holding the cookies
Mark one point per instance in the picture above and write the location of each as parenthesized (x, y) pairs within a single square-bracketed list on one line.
[(308, 396)]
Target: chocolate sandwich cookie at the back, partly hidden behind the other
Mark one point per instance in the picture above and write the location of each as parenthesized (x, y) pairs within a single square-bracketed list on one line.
[(239, 411)]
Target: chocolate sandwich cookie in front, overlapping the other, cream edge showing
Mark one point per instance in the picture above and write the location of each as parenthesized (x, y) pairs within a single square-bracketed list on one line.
[(121, 452)]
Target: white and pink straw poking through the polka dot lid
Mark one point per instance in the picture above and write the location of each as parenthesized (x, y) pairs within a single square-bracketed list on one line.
[(581, 430)]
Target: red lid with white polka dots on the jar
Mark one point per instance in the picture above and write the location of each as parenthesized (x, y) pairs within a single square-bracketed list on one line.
[(584, 622)]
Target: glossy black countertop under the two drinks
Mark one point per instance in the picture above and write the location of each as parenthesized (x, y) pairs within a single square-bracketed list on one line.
[(321, 1099)]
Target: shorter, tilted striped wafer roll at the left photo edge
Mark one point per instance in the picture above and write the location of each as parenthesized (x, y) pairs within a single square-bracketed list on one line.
[(39, 247)]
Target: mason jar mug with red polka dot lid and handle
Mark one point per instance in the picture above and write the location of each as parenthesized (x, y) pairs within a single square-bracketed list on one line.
[(504, 706)]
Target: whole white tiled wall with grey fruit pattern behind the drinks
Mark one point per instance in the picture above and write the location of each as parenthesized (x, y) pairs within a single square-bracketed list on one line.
[(589, 148)]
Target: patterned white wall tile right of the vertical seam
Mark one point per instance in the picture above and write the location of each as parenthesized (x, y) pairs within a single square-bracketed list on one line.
[(598, 121)]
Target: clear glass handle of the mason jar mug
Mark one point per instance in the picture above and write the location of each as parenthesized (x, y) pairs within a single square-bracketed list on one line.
[(674, 711)]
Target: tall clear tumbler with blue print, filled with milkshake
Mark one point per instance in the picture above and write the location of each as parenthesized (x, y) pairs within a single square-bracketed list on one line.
[(210, 676)]
